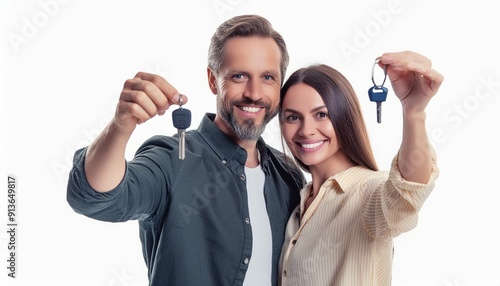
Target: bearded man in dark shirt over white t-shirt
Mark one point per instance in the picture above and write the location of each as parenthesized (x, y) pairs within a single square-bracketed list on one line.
[(218, 216)]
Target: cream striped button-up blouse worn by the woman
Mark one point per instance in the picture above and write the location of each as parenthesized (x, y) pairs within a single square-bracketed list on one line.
[(345, 236)]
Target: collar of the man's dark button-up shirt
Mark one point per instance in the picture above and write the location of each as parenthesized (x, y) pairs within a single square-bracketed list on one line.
[(224, 146)]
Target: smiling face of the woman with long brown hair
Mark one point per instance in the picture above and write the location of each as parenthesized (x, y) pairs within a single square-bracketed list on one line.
[(307, 128)]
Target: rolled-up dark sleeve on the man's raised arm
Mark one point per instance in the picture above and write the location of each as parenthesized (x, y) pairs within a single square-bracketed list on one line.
[(136, 197)]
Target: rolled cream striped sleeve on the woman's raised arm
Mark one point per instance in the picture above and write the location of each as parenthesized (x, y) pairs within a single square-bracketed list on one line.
[(393, 205)]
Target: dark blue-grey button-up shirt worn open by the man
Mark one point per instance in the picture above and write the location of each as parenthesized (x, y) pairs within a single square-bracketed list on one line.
[(193, 213)]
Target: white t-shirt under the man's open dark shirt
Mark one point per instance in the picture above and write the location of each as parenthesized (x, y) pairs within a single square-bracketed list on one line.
[(260, 266)]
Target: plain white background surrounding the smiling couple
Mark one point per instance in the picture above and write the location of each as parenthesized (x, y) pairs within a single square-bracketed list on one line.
[(64, 63)]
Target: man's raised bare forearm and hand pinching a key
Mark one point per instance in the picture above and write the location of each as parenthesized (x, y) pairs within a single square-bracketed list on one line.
[(142, 98)]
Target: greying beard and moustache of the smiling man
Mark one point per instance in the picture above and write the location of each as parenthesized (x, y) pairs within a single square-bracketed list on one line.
[(248, 129)]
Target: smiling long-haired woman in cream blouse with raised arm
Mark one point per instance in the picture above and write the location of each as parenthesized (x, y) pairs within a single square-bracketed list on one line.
[(341, 234)]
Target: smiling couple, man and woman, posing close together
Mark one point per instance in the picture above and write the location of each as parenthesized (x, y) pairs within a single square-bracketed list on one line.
[(238, 212)]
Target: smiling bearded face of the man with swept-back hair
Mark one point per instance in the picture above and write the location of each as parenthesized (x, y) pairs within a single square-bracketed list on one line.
[(247, 87)]
